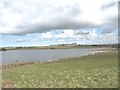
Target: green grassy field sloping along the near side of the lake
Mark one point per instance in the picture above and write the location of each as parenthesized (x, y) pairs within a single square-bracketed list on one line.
[(92, 71)]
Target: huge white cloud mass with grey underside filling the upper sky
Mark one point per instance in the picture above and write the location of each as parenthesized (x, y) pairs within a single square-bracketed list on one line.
[(38, 16)]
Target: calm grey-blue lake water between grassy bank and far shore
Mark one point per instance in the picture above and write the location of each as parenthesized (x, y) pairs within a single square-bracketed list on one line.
[(42, 55)]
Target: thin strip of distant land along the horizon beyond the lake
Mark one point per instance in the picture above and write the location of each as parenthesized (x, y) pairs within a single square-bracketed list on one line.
[(61, 46)]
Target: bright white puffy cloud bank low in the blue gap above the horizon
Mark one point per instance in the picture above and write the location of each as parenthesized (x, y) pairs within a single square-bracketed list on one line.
[(68, 35)]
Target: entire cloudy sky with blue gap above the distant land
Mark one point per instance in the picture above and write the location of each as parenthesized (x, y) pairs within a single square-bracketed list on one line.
[(48, 22)]
